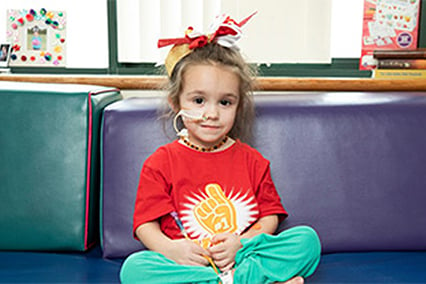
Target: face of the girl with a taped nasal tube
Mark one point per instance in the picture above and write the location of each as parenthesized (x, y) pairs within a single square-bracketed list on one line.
[(214, 92)]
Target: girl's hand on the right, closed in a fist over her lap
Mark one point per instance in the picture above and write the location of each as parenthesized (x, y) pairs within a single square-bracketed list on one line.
[(224, 249)]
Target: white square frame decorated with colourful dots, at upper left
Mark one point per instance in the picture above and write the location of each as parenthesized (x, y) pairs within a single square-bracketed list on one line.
[(37, 37)]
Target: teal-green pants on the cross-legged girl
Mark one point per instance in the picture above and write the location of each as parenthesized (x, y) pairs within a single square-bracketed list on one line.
[(262, 259)]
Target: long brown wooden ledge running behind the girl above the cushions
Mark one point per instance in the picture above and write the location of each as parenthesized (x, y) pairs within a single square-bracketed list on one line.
[(127, 82)]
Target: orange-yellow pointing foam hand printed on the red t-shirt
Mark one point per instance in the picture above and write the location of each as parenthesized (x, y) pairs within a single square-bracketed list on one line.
[(216, 213)]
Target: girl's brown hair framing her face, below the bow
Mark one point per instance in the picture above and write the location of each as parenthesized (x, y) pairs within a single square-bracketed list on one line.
[(214, 54)]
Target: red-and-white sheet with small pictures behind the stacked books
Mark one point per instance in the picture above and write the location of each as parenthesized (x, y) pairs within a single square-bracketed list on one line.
[(388, 24)]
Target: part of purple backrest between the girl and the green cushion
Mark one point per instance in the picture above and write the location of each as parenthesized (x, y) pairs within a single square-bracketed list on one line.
[(131, 132)]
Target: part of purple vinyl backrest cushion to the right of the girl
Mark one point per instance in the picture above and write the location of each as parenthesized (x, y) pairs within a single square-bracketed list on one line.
[(355, 172)]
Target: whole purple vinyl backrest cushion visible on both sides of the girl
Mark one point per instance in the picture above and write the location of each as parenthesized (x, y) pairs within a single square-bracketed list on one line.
[(351, 165)]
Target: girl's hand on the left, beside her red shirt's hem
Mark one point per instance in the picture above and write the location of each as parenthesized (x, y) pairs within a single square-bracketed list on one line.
[(187, 252)]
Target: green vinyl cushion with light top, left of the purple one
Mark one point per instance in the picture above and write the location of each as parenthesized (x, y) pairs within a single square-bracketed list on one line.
[(49, 164)]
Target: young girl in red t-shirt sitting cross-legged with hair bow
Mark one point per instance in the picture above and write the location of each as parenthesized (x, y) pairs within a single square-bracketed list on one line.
[(206, 206)]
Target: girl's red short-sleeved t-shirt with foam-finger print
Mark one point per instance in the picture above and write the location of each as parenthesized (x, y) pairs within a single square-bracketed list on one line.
[(225, 191)]
